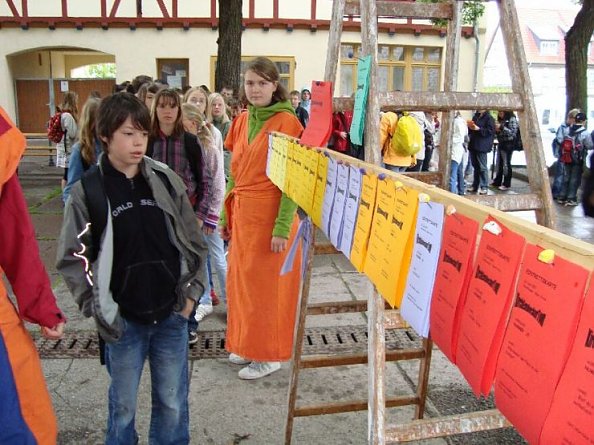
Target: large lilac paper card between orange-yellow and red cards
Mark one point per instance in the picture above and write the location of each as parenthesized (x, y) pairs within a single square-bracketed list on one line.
[(416, 301)]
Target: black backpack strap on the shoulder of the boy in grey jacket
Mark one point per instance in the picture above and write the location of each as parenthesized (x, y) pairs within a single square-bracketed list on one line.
[(96, 200)]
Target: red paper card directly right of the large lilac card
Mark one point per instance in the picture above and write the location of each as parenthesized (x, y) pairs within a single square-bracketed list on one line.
[(451, 281)]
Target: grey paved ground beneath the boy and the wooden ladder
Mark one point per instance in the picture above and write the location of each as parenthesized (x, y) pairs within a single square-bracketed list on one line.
[(226, 410)]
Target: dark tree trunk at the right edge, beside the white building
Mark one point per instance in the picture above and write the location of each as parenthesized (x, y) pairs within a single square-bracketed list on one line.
[(577, 40)]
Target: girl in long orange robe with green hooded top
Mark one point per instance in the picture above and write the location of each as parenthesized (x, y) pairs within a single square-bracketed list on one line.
[(261, 224)]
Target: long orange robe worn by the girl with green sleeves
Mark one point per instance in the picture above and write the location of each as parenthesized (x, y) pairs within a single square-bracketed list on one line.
[(261, 303)]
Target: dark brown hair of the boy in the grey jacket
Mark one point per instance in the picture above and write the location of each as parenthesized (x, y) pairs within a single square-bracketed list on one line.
[(113, 112)]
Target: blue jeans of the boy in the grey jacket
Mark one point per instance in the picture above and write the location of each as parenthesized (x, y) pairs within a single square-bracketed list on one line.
[(165, 344)]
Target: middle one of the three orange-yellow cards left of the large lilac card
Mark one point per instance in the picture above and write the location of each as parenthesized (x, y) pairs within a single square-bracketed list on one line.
[(377, 264)]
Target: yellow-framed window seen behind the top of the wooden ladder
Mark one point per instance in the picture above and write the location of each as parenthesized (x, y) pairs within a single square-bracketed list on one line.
[(404, 68)]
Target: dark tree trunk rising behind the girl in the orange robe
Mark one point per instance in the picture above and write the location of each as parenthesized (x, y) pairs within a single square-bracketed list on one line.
[(228, 69)]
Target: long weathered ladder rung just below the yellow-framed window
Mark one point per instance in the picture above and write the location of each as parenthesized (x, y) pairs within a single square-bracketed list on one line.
[(439, 101)]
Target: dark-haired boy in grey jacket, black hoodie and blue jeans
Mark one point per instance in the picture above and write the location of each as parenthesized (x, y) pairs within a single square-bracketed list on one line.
[(147, 274)]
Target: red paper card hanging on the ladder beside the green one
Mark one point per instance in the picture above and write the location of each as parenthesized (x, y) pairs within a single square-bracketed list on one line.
[(318, 130)]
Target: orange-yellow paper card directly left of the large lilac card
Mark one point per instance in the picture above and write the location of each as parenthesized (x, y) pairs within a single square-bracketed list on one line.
[(402, 230)]
